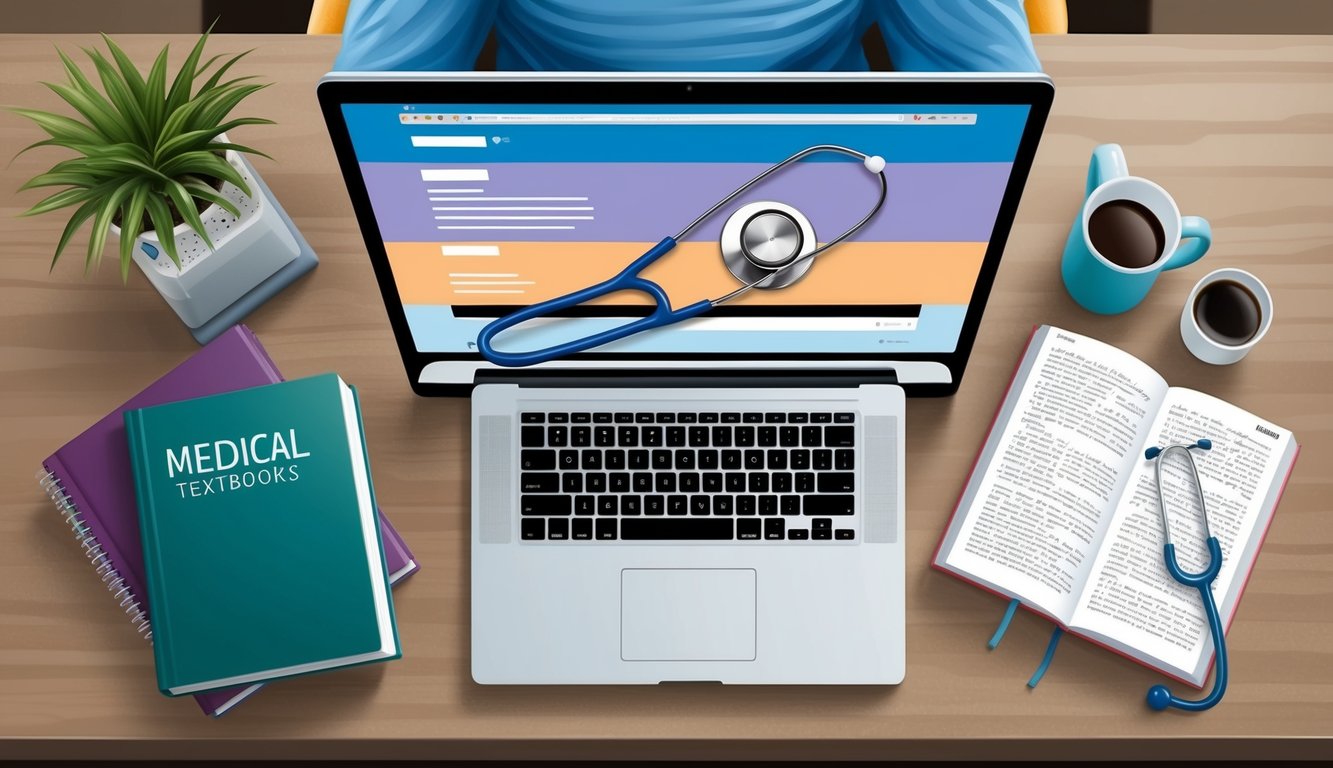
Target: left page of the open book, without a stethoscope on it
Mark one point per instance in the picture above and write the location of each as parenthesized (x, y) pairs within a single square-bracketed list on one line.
[(1044, 490)]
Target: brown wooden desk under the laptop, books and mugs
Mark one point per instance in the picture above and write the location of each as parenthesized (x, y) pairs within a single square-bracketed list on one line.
[(1239, 129)]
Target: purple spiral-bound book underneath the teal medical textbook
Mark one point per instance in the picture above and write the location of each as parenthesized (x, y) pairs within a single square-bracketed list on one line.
[(93, 485)]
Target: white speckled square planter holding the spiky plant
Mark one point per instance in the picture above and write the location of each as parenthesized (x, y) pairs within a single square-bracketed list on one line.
[(246, 253)]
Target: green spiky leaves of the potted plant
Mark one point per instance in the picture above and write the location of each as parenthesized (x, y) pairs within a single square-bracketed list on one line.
[(146, 146)]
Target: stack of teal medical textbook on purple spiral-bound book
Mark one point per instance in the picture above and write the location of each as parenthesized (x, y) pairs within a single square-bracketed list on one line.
[(233, 517)]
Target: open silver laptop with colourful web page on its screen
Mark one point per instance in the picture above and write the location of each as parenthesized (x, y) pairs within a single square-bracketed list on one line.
[(720, 501)]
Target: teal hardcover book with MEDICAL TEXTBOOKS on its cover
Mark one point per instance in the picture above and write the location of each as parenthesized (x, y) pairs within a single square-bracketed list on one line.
[(262, 547)]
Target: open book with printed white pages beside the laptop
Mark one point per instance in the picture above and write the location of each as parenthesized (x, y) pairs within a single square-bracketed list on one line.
[(1062, 509)]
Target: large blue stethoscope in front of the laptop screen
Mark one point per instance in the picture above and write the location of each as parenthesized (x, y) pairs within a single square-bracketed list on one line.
[(766, 246)]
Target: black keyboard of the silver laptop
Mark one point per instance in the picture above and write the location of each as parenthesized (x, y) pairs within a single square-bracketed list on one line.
[(649, 477)]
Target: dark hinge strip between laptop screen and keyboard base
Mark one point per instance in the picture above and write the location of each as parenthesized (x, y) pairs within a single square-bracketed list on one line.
[(679, 379)]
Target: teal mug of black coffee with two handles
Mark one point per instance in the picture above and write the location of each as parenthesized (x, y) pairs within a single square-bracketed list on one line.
[(1128, 231)]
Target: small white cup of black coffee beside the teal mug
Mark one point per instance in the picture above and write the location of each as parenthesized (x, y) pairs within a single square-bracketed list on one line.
[(1227, 314)]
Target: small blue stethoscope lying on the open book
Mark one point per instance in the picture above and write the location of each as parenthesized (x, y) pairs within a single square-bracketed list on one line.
[(1159, 697)]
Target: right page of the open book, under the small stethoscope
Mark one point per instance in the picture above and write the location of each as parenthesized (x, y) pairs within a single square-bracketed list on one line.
[(1132, 599)]
